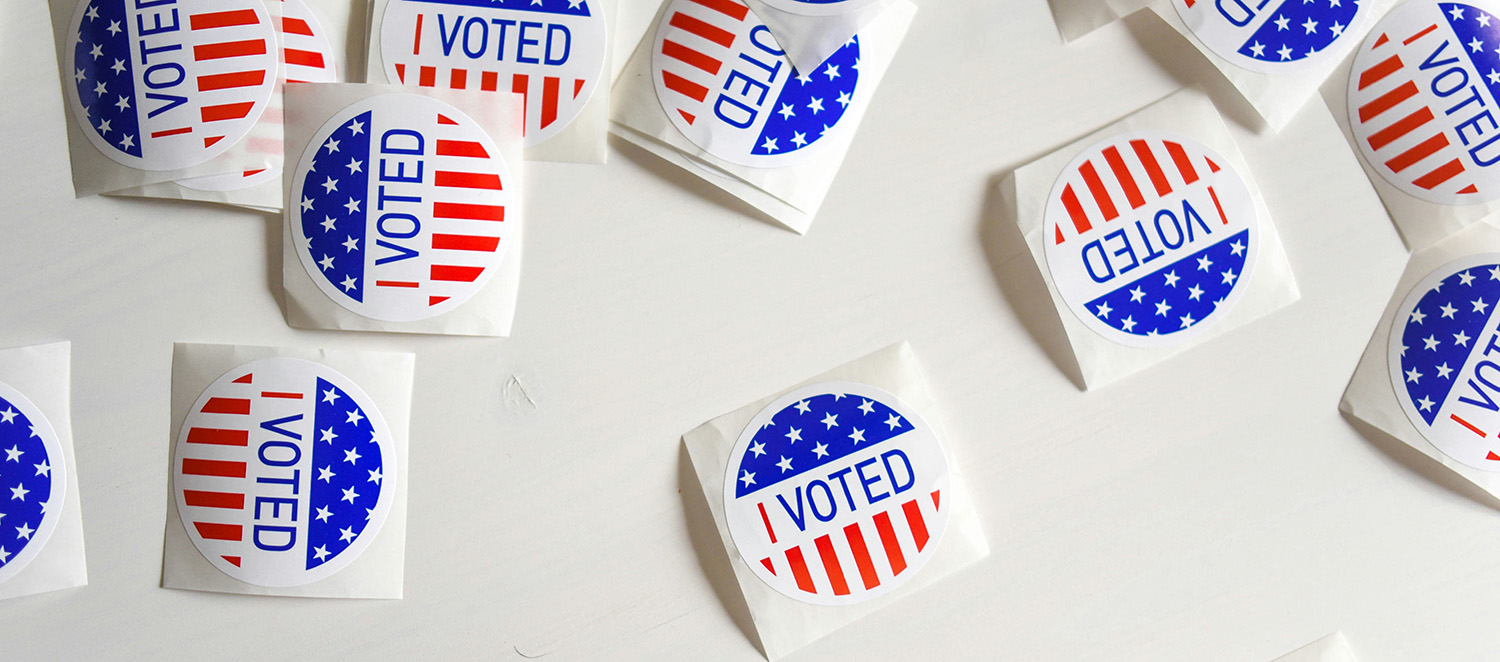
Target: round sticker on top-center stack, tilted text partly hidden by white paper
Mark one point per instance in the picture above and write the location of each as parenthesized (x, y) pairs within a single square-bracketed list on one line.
[(728, 86)]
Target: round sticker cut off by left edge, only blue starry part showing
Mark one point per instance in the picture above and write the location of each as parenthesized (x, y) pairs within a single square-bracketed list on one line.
[(34, 481)]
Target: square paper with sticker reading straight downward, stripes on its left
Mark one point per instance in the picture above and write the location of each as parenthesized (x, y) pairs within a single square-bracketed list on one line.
[(289, 472)]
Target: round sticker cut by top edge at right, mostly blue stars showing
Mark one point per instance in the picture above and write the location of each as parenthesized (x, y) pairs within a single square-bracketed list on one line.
[(1273, 37)]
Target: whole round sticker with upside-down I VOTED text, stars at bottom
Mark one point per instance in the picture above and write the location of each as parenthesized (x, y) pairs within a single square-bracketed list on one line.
[(1150, 238)]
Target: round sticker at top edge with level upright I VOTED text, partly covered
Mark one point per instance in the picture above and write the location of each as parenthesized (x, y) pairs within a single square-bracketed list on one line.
[(550, 52)]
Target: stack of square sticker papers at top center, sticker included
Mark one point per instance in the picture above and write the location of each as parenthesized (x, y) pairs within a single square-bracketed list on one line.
[(713, 89)]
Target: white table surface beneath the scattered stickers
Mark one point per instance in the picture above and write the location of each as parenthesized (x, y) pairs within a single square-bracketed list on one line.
[(1214, 508)]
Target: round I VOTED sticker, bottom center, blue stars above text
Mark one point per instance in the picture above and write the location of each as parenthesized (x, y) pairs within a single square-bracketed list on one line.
[(835, 493)]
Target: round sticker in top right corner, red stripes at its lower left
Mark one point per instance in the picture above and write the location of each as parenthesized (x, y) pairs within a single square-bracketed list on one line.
[(1423, 101)]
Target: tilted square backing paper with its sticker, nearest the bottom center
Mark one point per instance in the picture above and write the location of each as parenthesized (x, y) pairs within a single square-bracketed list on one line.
[(836, 498)]
